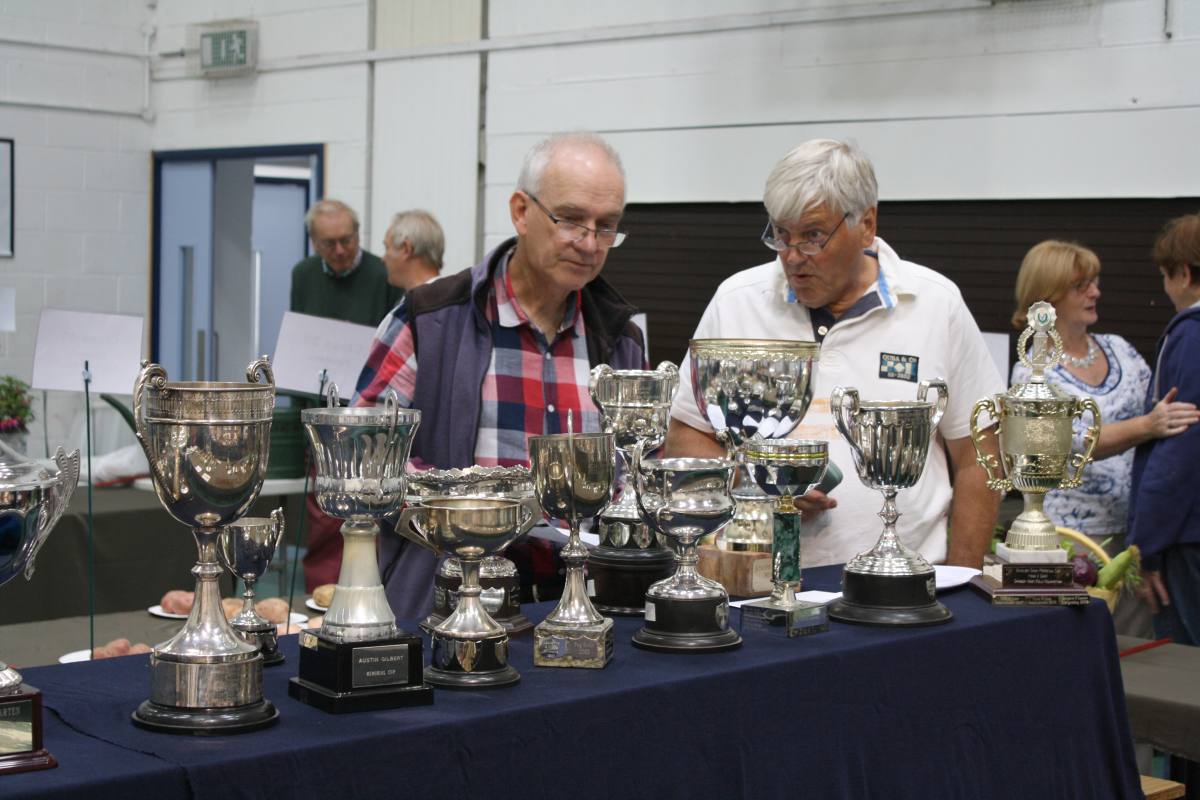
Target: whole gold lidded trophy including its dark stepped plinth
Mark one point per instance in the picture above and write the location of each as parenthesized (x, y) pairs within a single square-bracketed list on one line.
[(1035, 434)]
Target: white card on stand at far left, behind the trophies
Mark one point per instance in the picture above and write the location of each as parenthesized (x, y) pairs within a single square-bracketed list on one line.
[(110, 344)]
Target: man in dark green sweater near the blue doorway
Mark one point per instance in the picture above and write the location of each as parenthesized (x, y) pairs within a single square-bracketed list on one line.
[(341, 281)]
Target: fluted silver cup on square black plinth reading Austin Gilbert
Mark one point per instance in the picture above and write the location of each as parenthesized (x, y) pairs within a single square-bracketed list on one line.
[(359, 660)]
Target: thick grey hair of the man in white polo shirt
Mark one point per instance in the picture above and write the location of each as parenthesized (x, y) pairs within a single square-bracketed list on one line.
[(821, 172)]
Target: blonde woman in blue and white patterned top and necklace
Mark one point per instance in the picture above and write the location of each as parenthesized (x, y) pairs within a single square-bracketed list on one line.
[(1108, 369)]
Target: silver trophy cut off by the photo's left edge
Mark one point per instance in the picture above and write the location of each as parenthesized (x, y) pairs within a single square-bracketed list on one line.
[(32, 501)]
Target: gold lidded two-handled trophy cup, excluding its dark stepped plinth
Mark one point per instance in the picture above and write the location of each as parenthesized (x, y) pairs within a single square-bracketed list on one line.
[(1036, 441)]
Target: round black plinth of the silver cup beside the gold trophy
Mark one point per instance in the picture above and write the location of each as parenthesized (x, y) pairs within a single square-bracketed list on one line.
[(903, 600)]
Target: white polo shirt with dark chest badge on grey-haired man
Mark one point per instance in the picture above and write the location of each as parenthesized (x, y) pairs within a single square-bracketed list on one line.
[(921, 330)]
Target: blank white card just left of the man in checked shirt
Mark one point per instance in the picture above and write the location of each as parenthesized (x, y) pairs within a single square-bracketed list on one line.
[(309, 345)]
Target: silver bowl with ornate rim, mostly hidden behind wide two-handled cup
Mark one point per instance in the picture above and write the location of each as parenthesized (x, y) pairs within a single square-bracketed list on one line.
[(497, 575)]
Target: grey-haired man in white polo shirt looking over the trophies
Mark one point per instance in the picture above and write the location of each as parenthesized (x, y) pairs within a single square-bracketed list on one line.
[(885, 324)]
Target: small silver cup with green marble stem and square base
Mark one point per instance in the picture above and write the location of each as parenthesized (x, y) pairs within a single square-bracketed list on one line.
[(787, 470)]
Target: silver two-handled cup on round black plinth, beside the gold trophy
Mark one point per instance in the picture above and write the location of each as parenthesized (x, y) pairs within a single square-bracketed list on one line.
[(890, 585)]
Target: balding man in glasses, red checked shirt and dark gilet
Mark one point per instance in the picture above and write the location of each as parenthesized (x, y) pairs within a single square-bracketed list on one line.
[(503, 352)]
